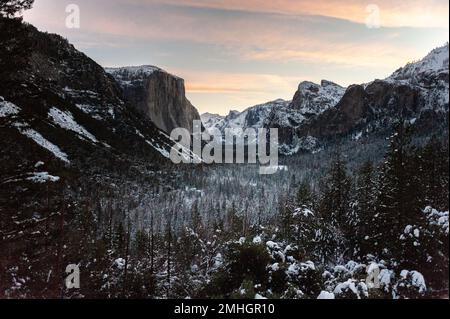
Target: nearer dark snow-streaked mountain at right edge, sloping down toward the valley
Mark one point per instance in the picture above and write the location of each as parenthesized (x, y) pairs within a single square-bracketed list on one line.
[(417, 93)]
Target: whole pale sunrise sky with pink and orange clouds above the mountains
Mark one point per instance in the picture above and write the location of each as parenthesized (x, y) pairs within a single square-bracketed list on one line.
[(238, 53)]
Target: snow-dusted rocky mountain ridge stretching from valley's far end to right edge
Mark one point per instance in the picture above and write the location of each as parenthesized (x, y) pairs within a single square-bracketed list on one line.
[(417, 91)]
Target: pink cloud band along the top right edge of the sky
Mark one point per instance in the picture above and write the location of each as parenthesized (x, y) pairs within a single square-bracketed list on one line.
[(416, 13)]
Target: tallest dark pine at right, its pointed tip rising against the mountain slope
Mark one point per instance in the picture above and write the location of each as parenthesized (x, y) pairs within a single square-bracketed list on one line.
[(399, 198)]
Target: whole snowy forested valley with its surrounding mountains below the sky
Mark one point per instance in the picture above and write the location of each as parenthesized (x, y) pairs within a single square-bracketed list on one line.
[(86, 179)]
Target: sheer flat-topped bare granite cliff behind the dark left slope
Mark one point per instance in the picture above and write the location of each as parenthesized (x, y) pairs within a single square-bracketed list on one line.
[(158, 95)]
